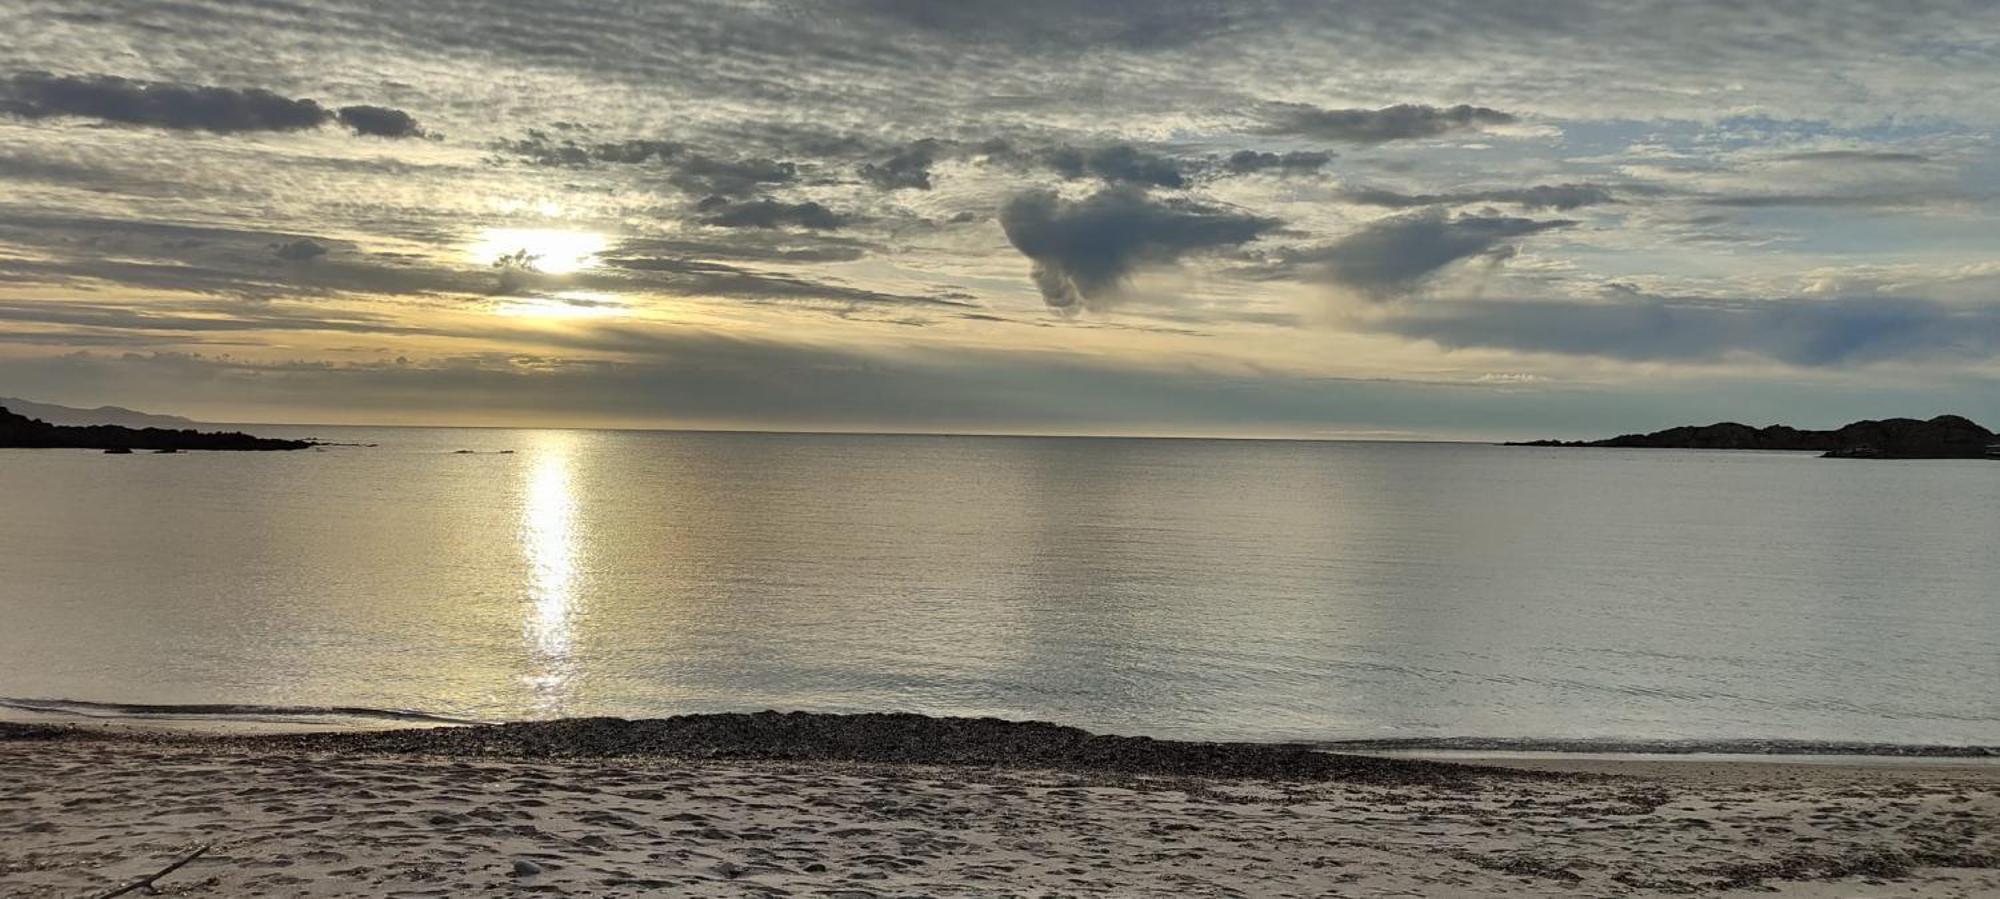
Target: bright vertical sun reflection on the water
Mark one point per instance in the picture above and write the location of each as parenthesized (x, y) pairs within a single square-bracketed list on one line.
[(551, 548)]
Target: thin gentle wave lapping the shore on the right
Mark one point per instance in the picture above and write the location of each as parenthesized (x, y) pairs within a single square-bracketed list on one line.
[(1663, 748)]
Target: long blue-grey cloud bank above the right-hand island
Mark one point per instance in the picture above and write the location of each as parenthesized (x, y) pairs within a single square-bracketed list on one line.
[(1653, 329)]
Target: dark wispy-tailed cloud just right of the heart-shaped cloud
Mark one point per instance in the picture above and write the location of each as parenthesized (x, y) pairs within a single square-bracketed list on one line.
[(1397, 255)]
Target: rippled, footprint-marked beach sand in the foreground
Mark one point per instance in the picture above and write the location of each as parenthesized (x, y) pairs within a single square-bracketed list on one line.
[(95, 810)]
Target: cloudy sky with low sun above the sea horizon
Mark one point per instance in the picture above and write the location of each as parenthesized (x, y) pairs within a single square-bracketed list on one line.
[(1383, 219)]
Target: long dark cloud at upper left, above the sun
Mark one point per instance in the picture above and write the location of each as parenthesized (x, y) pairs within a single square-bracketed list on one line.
[(187, 107)]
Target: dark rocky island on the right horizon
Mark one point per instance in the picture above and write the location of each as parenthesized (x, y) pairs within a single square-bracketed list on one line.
[(1891, 439)]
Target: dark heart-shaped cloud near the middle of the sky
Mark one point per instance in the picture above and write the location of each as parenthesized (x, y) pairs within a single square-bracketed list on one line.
[(1083, 251)]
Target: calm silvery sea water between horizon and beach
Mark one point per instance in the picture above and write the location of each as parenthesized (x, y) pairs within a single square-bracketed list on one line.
[(1247, 590)]
